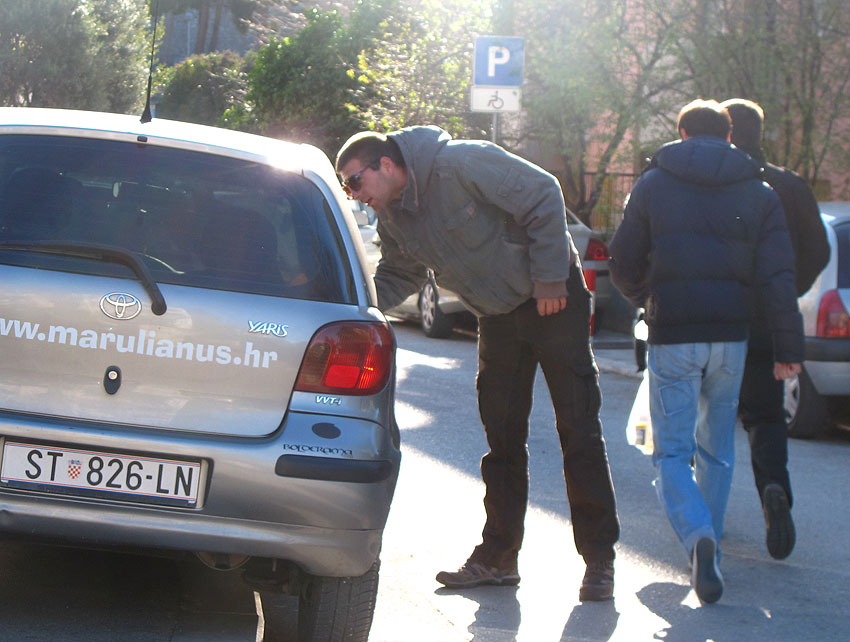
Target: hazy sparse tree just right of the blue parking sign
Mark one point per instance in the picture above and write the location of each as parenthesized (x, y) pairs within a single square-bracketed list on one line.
[(595, 72)]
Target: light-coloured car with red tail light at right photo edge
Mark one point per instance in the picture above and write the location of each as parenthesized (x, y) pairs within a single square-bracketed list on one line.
[(820, 397)]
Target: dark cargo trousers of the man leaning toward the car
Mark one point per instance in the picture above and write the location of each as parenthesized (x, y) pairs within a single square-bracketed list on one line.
[(509, 348)]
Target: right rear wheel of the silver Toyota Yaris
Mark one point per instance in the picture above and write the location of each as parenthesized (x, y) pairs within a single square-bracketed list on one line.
[(333, 609)]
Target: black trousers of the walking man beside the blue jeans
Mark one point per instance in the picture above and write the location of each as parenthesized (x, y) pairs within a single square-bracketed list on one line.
[(762, 413)]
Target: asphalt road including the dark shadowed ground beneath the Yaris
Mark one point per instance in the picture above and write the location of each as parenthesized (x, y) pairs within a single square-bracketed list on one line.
[(67, 595)]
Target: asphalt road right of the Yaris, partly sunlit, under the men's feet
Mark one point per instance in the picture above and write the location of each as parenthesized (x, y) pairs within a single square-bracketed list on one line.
[(437, 517)]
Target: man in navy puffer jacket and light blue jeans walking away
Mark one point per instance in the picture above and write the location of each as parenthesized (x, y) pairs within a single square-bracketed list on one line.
[(701, 236)]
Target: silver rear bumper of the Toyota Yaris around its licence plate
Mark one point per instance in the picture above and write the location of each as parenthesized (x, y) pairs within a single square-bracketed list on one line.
[(291, 495)]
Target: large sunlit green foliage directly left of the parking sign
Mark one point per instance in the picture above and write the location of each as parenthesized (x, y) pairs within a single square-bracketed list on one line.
[(390, 64)]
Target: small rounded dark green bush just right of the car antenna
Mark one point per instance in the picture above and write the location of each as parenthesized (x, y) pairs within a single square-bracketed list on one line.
[(202, 87)]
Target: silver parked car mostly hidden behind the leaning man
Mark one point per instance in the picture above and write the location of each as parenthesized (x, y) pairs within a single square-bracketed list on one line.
[(438, 310)]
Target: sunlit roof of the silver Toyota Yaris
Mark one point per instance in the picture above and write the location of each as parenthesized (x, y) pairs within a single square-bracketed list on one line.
[(296, 157)]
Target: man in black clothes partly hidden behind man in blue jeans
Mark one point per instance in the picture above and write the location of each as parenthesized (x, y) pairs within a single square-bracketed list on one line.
[(761, 404)]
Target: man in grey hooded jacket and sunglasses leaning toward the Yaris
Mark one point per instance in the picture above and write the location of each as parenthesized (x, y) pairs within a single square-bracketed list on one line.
[(493, 228)]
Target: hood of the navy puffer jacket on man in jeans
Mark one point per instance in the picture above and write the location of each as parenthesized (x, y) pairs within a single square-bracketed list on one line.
[(706, 160)]
